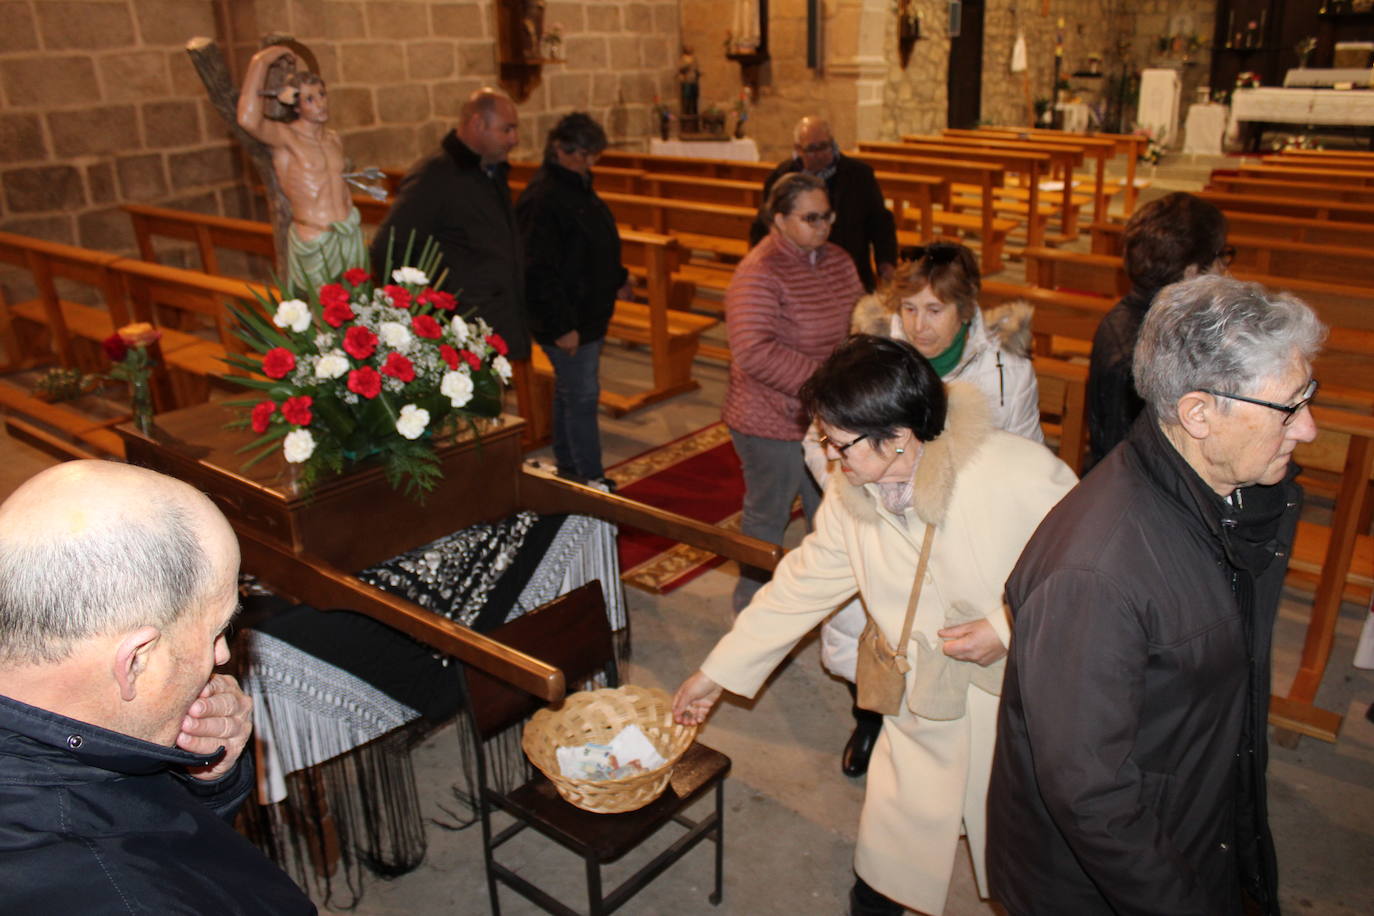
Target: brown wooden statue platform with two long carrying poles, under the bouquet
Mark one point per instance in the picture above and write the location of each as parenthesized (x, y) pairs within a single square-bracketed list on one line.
[(308, 547)]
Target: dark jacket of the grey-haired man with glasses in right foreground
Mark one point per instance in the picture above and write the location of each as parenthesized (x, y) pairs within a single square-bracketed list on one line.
[(1129, 775)]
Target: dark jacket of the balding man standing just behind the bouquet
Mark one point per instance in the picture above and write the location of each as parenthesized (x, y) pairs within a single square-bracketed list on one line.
[(451, 198)]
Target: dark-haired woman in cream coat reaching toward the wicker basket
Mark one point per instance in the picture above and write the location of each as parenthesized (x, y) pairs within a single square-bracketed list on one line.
[(921, 470)]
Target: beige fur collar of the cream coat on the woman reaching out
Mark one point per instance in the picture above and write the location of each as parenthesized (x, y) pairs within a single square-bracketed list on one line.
[(968, 426)]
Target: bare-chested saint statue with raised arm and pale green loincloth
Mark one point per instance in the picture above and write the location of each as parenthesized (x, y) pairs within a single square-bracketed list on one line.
[(326, 236)]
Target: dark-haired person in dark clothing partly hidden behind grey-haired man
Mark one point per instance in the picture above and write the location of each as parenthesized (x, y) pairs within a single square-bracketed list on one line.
[(1175, 238)]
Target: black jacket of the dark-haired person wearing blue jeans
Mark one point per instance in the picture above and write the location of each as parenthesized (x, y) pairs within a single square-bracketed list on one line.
[(572, 256)]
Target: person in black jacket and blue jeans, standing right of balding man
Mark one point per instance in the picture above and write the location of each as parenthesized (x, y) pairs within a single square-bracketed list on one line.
[(572, 279)]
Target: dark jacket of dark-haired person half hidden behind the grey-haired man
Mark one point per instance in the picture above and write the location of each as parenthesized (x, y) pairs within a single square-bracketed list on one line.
[(1112, 400)]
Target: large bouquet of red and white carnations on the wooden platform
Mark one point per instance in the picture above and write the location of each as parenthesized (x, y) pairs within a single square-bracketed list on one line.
[(366, 369)]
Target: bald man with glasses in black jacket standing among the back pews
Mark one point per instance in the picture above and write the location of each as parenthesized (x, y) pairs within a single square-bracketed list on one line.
[(864, 223)]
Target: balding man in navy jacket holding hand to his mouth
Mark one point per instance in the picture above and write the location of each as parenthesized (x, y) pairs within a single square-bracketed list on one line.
[(122, 751)]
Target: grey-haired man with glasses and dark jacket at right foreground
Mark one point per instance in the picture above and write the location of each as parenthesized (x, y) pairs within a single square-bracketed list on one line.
[(1131, 745)]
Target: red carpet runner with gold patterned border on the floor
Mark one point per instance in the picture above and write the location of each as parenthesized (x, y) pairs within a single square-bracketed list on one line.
[(697, 476)]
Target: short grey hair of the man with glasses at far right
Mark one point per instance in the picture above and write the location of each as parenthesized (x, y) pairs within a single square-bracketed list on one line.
[(1219, 333)]
